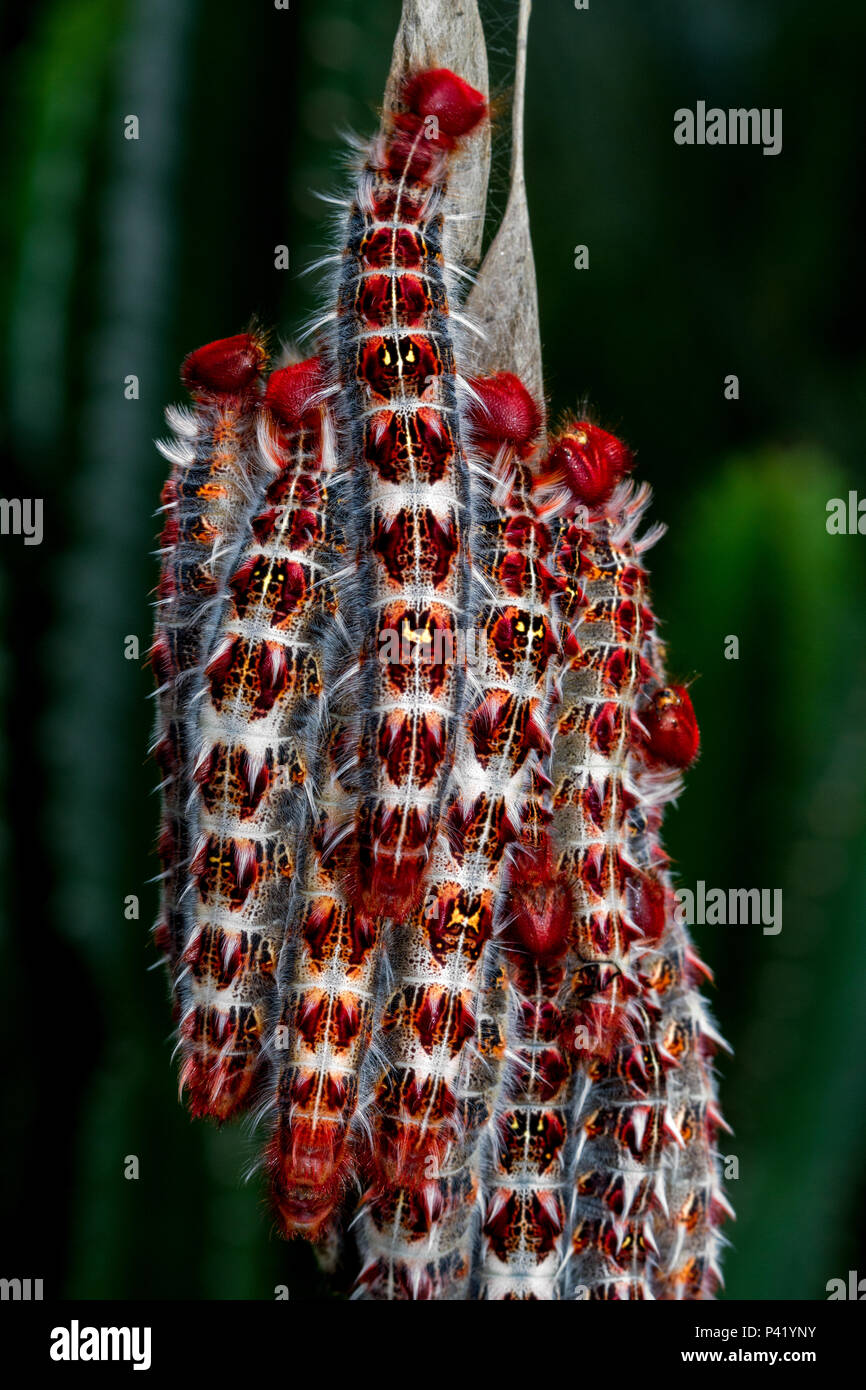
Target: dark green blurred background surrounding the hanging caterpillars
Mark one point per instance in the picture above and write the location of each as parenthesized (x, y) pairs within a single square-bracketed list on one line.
[(122, 256)]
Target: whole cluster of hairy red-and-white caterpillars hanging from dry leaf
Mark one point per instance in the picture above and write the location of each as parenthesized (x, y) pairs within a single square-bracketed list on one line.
[(416, 742)]
